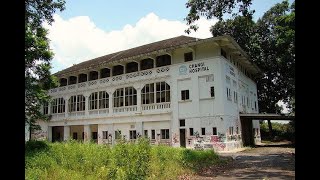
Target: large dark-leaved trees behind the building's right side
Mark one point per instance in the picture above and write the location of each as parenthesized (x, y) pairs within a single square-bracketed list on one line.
[(270, 42)]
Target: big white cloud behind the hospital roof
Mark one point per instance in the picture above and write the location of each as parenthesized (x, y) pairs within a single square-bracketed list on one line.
[(78, 39)]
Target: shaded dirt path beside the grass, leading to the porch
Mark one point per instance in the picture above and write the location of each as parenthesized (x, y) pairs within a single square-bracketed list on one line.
[(272, 162)]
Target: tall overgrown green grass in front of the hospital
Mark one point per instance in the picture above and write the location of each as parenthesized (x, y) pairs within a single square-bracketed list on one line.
[(140, 160)]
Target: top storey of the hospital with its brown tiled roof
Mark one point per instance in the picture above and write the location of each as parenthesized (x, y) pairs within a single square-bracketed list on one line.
[(150, 61)]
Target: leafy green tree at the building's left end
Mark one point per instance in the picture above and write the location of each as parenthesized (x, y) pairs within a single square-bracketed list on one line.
[(37, 58)]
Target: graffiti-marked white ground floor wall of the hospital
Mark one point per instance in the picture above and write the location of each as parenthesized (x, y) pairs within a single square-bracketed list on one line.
[(221, 133)]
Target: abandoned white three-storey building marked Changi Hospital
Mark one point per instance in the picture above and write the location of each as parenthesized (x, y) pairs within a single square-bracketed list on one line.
[(183, 92)]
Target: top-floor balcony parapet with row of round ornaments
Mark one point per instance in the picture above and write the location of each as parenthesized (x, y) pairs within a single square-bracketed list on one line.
[(115, 80)]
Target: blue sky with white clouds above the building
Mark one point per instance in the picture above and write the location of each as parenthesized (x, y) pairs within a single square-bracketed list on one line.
[(88, 29)]
